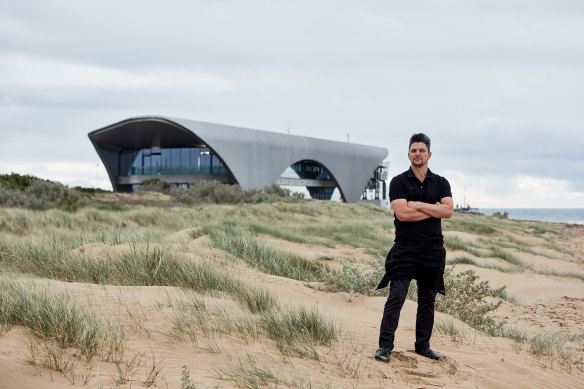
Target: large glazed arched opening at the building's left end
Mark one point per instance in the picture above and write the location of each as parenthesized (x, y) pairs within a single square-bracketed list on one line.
[(142, 149)]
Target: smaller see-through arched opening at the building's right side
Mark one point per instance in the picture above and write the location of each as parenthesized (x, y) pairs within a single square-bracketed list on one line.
[(312, 179)]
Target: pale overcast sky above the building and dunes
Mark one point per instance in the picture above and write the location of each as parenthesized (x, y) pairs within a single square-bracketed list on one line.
[(497, 85)]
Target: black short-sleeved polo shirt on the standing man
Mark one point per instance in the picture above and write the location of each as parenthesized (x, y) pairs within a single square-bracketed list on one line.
[(425, 233)]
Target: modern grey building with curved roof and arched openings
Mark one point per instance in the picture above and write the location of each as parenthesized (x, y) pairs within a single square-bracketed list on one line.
[(183, 152)]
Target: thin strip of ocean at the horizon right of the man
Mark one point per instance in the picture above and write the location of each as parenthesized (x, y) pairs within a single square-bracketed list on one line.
[(556, 215)]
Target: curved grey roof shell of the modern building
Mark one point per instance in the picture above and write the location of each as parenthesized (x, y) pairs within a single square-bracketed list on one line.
[(255, 158)]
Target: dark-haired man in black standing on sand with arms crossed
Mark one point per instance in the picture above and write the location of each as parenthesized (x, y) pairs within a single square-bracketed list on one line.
[(420, 199)]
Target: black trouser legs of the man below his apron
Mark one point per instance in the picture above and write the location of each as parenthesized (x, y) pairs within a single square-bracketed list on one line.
[(398, 290)]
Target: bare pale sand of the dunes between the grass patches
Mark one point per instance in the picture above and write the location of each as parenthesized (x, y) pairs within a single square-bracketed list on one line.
[(545, 304)]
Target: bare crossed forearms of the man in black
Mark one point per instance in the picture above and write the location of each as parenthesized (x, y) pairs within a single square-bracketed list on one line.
[(414, 211)]
